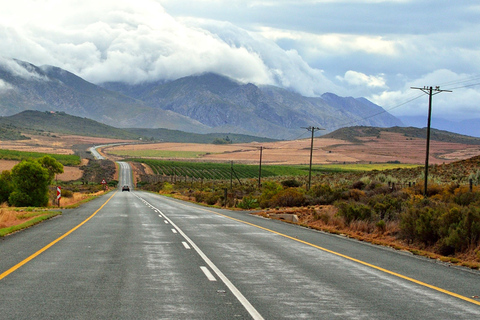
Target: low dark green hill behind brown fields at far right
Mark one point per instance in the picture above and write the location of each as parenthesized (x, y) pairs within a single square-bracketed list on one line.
[(353, 133)]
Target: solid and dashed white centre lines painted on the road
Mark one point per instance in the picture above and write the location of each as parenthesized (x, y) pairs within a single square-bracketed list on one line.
[(188, 244)]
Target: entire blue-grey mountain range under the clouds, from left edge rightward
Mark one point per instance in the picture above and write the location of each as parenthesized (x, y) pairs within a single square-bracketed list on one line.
[(200, 103)]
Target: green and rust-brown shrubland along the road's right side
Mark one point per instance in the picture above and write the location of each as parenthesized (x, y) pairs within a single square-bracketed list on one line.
[(370, 205)]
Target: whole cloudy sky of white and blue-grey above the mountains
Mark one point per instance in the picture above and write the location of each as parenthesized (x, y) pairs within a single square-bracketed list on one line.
[(376, 49)]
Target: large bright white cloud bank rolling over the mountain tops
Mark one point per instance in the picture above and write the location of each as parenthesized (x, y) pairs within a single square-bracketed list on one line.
[(122, 41)]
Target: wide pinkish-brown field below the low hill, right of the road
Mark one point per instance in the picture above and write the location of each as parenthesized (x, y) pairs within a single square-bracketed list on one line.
[(388, 147)]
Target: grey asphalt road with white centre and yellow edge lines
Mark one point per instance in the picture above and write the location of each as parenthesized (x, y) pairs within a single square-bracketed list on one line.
[(143, 256)]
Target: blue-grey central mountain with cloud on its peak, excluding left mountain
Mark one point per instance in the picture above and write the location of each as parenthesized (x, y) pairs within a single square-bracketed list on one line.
[(230, 106)]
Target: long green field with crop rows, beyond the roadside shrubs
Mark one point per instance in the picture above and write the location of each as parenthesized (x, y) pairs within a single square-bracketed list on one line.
[(221, 171)]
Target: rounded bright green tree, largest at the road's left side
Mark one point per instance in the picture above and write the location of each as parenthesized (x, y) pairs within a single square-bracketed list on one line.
[(31, 182)]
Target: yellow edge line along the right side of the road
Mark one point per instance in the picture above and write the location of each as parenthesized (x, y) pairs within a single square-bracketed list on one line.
[(453, 294)]
